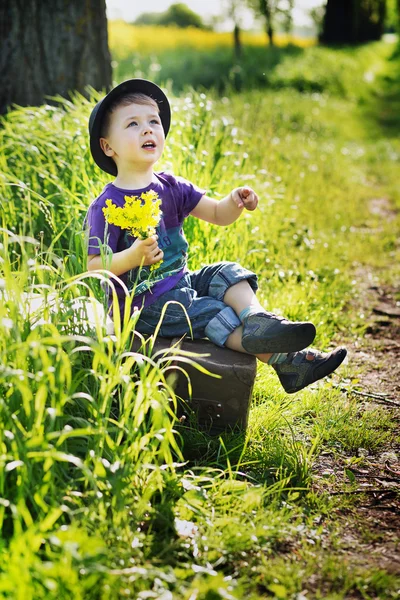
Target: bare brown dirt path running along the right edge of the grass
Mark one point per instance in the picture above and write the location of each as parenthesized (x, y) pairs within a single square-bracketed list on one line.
[(368, 528)]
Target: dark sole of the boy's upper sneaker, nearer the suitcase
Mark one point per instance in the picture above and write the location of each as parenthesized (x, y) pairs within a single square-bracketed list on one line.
[(293, 339)]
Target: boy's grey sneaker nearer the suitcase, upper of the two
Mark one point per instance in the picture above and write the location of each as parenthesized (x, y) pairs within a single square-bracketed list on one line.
[(265, 332)]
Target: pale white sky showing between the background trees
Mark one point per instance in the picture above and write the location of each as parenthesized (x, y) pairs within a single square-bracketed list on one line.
[(129, 10)]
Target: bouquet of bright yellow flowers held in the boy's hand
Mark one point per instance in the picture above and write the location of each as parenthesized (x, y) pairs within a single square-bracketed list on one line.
[(139, 215)]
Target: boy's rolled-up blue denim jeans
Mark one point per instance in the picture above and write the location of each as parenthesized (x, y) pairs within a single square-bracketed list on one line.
[(201, 293)]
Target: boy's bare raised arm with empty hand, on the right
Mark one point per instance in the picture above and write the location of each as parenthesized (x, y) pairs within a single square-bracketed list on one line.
[(227, 210)]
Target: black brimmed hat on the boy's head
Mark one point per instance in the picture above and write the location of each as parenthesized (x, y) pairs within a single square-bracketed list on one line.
[(96, 118)]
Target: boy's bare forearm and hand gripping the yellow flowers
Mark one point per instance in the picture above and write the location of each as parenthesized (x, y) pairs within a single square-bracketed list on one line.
[(141, 253)]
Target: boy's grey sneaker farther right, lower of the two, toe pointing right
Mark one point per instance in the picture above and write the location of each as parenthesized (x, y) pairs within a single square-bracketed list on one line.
[(296, 372)]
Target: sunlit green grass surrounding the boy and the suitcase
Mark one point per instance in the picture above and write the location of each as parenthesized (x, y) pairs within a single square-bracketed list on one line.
[(102, 493)]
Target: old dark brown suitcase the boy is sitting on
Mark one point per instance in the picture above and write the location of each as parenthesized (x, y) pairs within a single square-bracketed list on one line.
[(219, 404)]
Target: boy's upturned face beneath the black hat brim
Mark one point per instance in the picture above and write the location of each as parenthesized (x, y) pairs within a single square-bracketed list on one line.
[(135, 136)]
